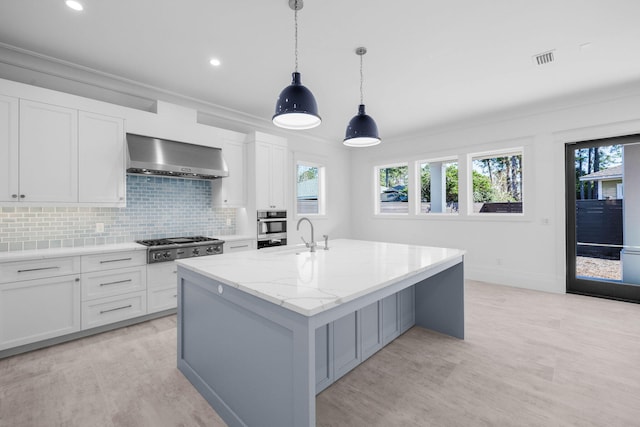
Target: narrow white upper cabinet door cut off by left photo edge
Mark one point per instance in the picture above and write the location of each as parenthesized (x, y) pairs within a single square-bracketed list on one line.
[(9, 190)]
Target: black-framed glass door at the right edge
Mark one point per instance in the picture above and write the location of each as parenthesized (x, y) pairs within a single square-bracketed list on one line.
[(603, 217)]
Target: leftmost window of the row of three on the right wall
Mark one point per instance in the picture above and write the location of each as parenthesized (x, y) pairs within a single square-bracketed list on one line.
[(392, 188)]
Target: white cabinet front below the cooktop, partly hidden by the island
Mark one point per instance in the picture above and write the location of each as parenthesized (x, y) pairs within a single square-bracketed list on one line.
[(162, 286)]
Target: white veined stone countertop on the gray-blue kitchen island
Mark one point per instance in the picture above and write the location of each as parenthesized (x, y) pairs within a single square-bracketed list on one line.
[(309, 283)]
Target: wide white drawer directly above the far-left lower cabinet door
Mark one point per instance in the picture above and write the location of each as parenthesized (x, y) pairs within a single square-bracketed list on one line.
[(37, 269)]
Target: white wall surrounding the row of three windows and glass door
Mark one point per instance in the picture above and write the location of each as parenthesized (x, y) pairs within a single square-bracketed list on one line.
[(524, 251)]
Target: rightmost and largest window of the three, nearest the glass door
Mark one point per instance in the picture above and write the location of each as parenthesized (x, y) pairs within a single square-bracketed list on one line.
[(497, 183)]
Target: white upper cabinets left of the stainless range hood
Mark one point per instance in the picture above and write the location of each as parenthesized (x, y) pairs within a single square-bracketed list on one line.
[(51, 154)]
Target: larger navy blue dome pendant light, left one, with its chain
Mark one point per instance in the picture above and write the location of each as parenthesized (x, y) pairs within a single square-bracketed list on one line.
[(296, 107)]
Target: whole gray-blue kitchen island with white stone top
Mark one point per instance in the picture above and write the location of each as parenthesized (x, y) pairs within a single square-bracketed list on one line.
[(260, 333)]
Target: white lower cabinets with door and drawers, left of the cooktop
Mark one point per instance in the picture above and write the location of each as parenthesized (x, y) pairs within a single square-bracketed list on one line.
[(51, 297)]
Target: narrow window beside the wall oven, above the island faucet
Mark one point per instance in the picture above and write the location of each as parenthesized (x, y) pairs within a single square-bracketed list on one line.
[(310, 198)]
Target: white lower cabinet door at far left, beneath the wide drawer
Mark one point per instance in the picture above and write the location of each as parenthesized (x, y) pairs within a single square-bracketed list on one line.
[(34, 310)]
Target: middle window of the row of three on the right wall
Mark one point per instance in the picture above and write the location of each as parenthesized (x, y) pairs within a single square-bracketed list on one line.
[(438, 186)]
